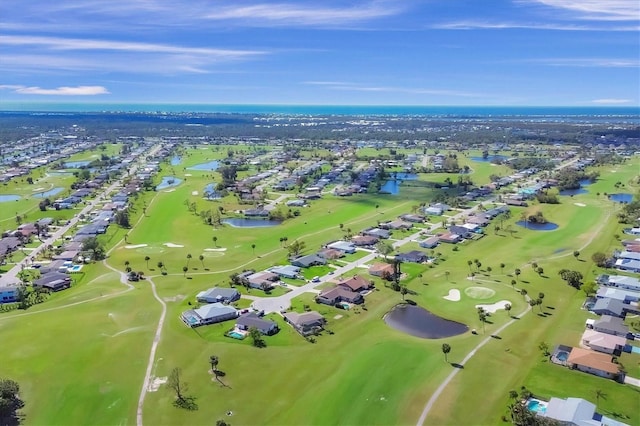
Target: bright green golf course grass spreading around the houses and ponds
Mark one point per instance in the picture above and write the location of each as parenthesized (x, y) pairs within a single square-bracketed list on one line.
[(81, 356)]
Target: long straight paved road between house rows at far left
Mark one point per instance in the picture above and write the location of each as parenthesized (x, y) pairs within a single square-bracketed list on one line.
[(11, 276)]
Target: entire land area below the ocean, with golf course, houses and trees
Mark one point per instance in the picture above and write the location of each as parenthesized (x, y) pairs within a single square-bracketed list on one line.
[(370, 271)]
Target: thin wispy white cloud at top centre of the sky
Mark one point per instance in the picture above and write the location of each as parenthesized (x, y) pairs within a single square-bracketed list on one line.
[(293, 14)]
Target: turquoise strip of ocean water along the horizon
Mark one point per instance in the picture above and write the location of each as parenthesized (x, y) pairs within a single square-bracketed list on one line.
[(598, 113)]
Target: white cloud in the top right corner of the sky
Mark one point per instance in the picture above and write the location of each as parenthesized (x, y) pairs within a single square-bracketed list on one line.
[(597, 10)]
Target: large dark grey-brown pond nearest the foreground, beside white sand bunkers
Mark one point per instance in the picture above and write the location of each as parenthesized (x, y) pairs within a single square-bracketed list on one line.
[(419, 322)]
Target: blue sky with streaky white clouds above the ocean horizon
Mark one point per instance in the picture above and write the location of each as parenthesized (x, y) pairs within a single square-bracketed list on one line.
[(380, 52)]
